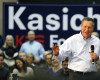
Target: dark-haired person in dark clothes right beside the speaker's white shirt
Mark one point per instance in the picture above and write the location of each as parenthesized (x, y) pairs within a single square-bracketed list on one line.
[(65, 71)]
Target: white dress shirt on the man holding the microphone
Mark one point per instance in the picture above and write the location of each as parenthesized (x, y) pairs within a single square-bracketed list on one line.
[(77, 48)]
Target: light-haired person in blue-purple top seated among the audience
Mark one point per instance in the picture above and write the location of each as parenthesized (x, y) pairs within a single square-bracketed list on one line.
[(56, 69)]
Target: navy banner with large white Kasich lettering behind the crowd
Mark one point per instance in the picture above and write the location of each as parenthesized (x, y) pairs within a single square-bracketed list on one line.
[(52, 23)]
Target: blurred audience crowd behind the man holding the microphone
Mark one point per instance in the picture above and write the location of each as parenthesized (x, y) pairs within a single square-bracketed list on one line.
[(31, 62)]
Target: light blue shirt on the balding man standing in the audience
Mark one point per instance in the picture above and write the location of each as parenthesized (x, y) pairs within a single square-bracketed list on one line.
[(34, 47)]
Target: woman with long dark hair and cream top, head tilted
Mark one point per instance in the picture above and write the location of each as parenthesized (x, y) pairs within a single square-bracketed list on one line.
[(23, 72)]
